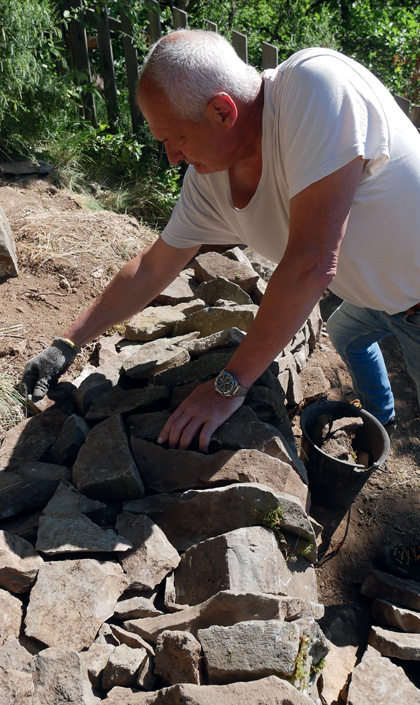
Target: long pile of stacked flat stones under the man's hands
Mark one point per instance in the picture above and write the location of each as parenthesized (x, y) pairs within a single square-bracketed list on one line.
[(131, 573)]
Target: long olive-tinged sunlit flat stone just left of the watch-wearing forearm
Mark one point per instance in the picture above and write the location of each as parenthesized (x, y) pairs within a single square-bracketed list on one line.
[(216, 318)]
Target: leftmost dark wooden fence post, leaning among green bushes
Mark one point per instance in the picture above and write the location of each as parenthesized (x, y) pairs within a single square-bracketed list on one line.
[(79, 53)]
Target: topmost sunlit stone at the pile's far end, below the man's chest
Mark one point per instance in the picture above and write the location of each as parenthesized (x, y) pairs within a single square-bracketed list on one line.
[(212, 265)]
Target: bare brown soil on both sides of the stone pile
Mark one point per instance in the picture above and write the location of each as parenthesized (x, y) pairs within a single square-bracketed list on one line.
[(67, 254)]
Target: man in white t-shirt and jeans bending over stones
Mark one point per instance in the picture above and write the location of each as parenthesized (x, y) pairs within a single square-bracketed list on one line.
[(314, 166)]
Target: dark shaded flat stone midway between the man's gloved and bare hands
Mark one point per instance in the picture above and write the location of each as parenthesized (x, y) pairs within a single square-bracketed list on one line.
[(124, 401)]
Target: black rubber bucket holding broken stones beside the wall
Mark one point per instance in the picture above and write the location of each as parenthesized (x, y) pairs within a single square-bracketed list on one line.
[(333, 482)]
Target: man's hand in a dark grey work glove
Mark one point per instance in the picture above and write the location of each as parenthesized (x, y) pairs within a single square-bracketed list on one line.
[(47, 366)]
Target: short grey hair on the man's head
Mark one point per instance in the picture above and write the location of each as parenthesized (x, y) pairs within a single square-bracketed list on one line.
[(191, 66)]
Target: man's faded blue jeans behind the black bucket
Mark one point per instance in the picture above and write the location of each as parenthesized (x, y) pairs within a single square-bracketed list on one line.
[(355, 333)]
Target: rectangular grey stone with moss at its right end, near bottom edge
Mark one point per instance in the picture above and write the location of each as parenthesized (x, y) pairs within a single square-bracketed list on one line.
[(249, 650)]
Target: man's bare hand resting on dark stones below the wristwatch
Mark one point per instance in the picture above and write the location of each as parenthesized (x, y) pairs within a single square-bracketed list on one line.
[(204, 409)]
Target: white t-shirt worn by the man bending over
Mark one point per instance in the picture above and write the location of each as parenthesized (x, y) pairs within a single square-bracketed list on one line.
[(321, 110)]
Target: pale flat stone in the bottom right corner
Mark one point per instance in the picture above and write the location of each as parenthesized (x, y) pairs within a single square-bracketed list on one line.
[(377, 680)]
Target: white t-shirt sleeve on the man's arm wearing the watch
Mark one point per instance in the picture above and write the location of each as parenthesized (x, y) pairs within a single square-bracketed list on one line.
[(329, 115)]
